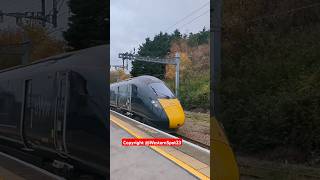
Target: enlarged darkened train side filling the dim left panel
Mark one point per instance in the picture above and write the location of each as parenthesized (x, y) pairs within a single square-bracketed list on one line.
[(55, 110)]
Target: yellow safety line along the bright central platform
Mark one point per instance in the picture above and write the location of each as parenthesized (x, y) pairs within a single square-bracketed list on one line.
[(167, 155)]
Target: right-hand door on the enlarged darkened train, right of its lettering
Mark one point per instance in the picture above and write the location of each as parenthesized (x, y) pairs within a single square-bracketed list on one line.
[(61, 111)]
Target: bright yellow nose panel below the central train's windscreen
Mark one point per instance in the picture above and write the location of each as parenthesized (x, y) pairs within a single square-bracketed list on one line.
[(174, 112)]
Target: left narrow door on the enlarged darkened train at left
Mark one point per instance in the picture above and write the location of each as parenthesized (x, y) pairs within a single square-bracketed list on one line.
[(27, 115)]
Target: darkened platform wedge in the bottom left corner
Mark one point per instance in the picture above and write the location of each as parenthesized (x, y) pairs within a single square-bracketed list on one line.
[(14, 169)]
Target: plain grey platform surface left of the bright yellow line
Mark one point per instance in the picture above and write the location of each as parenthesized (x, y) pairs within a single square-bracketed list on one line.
[(140, 162)]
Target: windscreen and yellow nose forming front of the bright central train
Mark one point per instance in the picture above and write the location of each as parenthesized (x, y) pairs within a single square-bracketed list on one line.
[(172, 112)]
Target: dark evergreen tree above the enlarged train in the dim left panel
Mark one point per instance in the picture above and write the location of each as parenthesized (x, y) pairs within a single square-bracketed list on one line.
[(89, 24)]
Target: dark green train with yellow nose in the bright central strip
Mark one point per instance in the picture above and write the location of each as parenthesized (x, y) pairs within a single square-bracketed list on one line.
[(149, 100)]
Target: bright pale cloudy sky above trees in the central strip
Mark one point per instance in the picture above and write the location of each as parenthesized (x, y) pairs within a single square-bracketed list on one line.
[(132, 21)]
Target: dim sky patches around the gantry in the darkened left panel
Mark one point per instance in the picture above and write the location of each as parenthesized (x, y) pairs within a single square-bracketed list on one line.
[(10, 6)]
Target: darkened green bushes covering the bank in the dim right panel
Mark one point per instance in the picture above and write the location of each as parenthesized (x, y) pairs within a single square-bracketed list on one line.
[(270, 87)]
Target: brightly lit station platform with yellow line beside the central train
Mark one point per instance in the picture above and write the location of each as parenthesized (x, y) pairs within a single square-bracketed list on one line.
[(149, 162)]
